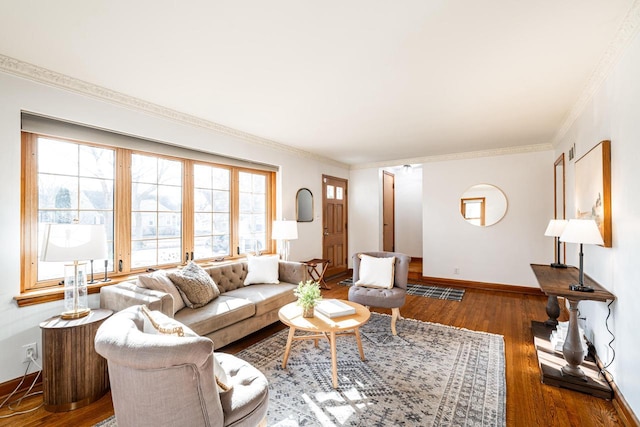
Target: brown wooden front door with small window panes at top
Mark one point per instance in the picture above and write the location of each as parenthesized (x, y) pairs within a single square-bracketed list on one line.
[(334, 221)]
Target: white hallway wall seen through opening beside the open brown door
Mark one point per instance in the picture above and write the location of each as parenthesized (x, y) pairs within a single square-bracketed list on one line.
[(408, 212)]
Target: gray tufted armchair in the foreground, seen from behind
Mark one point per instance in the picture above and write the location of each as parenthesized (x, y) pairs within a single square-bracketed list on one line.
[(167, 380)]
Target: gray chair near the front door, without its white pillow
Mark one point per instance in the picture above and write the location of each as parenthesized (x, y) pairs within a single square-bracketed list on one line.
[(393, 298)]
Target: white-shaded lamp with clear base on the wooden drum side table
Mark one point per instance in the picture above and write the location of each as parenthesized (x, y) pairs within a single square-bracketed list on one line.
[(74, 243)]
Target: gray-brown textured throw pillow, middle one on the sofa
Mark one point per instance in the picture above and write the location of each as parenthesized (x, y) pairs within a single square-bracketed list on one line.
[(195, 285)]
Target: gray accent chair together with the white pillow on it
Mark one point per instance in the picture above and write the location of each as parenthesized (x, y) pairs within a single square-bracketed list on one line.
[(380, 280)]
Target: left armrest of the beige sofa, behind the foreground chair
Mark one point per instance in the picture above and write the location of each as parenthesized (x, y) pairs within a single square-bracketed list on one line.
[(122, 295)]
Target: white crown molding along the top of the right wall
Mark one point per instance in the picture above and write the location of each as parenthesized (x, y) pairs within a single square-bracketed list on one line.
[(625, 35)]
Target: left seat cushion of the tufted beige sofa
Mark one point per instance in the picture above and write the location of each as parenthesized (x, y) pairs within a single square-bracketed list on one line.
[(219, 313)]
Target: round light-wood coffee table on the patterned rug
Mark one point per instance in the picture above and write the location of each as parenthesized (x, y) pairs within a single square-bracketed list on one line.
[(291, 315)]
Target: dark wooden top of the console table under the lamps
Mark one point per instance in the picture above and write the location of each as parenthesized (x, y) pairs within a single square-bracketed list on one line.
[(556, 281)]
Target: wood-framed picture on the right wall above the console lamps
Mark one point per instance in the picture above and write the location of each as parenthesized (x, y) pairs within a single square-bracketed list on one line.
[(593, 188)]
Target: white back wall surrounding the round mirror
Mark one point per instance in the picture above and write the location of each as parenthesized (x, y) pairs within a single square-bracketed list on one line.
[(500, 253)]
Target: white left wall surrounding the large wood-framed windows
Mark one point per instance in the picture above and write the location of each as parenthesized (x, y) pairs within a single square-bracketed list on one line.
[(20, 326)]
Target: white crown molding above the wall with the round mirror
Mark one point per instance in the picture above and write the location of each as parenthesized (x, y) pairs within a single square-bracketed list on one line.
[(458, 156)]
